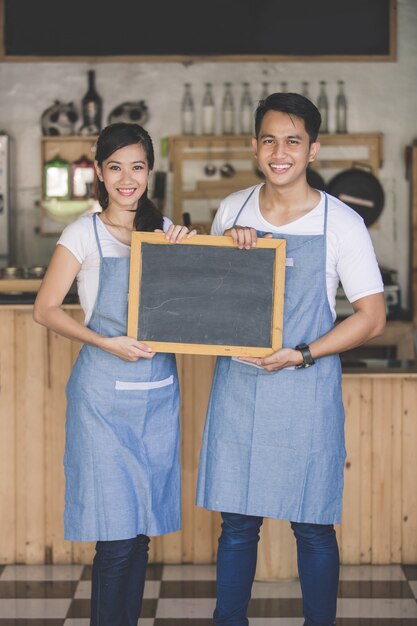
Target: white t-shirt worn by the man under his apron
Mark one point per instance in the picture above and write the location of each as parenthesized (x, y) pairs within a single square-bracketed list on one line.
[(350, 256)]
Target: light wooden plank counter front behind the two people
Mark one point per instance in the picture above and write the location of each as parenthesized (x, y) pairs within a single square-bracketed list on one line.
[(380, 502)]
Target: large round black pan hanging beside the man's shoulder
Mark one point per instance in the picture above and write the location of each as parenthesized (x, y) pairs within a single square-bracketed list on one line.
[(360, 189)]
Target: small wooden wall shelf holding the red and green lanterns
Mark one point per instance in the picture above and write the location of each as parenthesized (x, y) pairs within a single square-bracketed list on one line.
[(56, 214)]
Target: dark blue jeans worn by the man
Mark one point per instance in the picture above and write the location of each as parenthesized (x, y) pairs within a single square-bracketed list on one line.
[(318, 568)]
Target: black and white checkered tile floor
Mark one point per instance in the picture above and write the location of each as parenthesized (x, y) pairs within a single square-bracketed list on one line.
[(183, 595)]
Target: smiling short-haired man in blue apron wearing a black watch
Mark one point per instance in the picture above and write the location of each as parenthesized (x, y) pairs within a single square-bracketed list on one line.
[(273, 444)]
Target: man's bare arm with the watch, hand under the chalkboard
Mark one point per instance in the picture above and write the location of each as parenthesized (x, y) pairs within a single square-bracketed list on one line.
[(367, 322)]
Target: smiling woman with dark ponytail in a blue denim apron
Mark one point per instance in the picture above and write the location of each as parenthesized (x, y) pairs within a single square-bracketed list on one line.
[(122, 431)]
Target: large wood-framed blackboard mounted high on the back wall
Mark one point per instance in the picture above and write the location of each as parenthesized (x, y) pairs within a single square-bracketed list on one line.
[(298, 29)]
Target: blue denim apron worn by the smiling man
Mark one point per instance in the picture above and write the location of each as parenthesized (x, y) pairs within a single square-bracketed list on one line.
[(273, 442)]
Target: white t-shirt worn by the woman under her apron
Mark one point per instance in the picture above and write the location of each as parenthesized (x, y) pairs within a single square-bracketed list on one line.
[(79, 238)]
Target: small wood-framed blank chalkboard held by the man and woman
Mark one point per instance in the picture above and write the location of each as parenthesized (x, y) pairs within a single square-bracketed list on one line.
[(206, 296)]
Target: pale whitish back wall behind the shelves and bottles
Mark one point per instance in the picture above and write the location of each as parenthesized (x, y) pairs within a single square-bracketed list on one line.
[(381, 97)]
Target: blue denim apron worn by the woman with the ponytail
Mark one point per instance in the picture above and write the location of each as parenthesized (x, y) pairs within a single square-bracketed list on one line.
[(122, 430)]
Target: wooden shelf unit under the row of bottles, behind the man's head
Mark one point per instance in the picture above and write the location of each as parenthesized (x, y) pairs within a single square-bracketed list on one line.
[(193, 188)]
